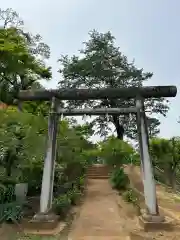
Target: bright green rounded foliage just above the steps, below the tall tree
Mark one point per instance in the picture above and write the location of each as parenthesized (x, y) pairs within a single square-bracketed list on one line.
[(116, 152)]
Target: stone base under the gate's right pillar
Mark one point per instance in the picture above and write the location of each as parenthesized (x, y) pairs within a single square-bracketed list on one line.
[(155, 222)]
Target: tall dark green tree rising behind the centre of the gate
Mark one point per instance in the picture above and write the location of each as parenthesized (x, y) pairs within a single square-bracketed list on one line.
[(102, 64)]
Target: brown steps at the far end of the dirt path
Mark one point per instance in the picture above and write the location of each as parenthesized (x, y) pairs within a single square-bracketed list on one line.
[(98, 171)]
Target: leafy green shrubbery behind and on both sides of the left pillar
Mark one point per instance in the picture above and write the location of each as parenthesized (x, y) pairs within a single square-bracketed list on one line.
[(25, 134)]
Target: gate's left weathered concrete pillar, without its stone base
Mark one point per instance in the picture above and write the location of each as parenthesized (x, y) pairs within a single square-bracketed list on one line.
[(49, 162)]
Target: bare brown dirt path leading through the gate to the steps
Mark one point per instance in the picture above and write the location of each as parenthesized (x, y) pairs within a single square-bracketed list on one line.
[(99, 215)]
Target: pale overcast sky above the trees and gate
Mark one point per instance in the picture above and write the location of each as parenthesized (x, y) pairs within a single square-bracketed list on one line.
[(146, 30)]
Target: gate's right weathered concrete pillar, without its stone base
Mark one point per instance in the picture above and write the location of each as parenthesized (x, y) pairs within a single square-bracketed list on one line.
[(148, 177)]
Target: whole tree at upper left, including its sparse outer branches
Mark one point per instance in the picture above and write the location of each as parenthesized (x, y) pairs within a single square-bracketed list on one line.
[(21, 57)]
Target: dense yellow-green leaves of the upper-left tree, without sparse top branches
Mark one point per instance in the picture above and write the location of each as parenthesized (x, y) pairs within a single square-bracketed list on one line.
[(15, 53)]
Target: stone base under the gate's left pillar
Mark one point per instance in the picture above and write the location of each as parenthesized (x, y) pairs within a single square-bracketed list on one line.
[(42, 222)]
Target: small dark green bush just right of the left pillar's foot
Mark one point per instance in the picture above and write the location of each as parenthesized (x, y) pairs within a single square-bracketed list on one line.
[(62, 205)]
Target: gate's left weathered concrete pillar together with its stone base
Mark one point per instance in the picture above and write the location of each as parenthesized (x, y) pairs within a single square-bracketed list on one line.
[(45, 218)]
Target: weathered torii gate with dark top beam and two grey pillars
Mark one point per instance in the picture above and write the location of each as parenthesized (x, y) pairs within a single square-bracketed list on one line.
[(137, 93)]
